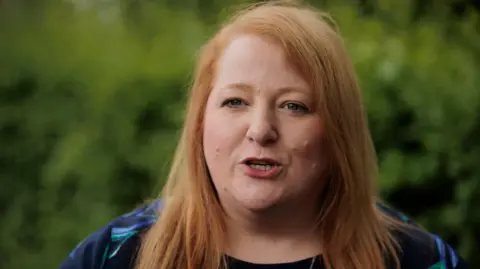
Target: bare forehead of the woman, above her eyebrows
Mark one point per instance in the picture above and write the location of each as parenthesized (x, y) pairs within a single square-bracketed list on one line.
[(258, 62)]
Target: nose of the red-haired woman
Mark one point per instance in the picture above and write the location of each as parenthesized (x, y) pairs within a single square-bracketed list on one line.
[(262, 129)]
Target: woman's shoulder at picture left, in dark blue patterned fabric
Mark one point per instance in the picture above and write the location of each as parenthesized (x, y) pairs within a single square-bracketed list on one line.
[(114, 243)]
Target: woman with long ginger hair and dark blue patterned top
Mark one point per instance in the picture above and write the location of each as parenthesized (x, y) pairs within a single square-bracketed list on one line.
[(275, 166)]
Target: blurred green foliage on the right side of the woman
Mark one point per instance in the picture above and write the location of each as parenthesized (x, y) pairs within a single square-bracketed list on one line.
[(423, 103)]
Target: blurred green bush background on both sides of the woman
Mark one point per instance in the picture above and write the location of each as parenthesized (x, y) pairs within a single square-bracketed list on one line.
[(91, 101)]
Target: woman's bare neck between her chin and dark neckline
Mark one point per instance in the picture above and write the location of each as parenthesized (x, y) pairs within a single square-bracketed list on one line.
[(283, 233)]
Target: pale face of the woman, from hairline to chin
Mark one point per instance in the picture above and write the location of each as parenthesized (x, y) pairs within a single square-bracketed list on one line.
[(262, 134)]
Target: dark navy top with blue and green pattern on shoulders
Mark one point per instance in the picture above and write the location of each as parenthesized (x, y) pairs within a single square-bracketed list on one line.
[(115, 246)]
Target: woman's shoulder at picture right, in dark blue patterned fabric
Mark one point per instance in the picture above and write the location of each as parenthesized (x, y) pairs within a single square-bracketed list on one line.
[(420, 249)]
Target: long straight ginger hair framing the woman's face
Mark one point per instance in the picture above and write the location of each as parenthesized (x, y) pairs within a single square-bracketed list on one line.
[(355, 234)]
